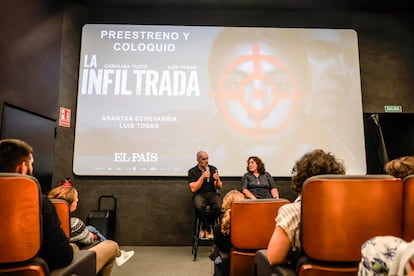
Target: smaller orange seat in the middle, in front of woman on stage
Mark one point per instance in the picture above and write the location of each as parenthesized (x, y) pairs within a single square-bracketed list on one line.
[(252, 225)]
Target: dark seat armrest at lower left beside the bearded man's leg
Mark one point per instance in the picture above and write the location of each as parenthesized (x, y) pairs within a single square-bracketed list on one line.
[(83, 263)]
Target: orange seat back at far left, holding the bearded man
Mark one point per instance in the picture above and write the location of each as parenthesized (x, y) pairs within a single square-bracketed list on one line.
[(20, 216)]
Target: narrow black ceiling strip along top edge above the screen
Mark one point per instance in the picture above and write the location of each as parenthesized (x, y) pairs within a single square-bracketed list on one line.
[(286, 5)]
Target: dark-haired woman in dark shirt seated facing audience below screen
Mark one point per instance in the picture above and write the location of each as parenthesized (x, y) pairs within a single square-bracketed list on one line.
[(256, 182)]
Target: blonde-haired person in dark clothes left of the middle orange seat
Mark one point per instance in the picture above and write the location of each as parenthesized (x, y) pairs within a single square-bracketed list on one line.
[(222, 240)]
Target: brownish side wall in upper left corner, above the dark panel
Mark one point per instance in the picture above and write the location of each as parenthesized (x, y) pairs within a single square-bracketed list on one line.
[(30, 54)]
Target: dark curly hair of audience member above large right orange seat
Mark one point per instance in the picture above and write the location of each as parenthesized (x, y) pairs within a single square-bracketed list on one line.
[(314, 163)]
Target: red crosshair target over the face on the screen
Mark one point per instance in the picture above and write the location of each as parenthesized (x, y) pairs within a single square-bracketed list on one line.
[(259, 102)]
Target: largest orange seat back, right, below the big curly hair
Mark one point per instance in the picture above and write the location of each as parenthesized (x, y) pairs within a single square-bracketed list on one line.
[(341, 212)]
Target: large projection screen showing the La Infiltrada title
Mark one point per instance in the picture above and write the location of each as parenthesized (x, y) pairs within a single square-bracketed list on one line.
[(149, 97)]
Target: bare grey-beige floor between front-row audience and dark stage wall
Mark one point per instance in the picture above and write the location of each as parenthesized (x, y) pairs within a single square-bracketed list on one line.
[(166, 260)]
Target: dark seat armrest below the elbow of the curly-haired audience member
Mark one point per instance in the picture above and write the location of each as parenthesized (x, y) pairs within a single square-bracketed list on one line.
[(262, 267)]
